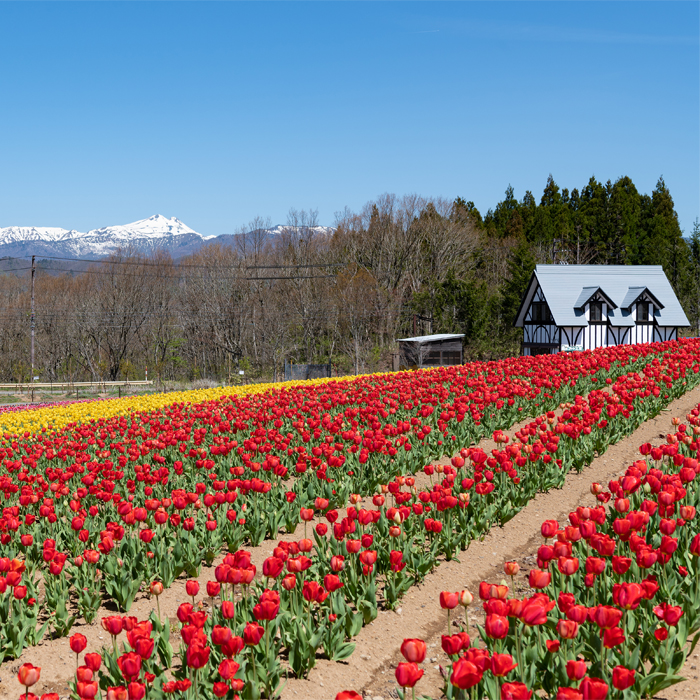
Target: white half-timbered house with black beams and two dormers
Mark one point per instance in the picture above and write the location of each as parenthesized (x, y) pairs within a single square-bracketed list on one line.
[(581, 307)]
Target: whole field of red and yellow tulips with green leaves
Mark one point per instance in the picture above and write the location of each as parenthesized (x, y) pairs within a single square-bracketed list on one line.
[(108, 501)]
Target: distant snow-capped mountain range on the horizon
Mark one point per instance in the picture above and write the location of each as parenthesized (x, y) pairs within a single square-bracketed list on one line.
[(146, 236)]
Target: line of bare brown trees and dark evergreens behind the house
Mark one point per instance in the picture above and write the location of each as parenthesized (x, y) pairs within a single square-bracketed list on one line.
[(398, 267)]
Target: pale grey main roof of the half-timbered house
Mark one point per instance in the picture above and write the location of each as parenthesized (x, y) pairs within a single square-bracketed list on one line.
[(563, 287)]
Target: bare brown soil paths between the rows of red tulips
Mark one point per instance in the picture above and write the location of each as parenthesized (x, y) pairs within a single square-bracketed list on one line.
[(370, 669)]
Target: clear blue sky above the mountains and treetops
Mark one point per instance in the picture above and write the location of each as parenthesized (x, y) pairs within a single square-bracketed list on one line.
[(218, 112)]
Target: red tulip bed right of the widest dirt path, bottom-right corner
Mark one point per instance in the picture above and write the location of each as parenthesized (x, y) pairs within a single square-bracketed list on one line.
[(616, 596)]
